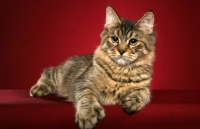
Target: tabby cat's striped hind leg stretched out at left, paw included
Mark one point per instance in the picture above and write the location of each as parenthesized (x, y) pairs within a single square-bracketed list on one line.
[(46, 84)]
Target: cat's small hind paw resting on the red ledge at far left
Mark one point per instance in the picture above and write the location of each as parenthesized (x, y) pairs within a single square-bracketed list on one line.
[(39, 91)]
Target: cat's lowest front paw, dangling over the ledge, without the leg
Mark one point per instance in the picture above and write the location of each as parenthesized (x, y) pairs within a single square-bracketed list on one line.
[(86, 118)]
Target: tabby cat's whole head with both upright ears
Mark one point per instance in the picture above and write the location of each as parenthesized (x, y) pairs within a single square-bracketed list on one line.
[(127, 41)]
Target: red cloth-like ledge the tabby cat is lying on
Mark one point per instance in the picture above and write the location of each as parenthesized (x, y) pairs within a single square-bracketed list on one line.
[(167, 110)]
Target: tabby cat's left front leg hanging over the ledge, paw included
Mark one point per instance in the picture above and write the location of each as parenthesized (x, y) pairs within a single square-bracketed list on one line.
[(88, 108)]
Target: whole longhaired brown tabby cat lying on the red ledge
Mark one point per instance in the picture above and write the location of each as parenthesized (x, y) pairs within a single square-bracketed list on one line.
[(119, 71)]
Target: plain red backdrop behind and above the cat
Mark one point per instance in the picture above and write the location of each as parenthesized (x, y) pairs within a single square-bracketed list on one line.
[(35, 34)]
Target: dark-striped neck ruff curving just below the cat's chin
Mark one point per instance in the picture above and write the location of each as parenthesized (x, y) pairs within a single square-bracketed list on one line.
[(115, 73)]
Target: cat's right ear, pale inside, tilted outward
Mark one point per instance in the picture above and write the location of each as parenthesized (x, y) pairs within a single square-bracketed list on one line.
[(146, 23)]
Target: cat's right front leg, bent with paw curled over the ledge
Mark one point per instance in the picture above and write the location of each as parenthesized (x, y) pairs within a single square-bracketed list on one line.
[(135, 99)]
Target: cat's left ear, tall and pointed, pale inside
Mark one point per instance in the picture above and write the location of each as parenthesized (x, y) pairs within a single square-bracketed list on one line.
[(112, 18)]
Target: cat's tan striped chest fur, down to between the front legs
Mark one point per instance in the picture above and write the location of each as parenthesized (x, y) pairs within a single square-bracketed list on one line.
[(114, 81)]
